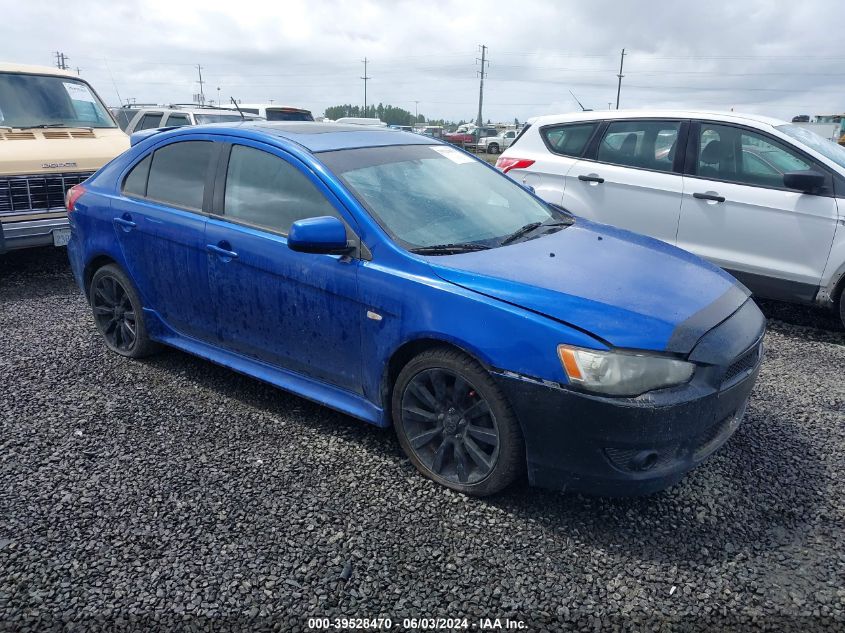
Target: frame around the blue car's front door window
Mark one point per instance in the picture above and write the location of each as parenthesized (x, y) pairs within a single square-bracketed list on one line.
[(216, 208)]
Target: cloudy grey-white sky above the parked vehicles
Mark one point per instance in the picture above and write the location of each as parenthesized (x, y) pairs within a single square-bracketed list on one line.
[(765, 56)]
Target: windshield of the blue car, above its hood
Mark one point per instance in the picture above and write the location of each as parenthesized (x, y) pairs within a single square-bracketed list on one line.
[(434, 195)]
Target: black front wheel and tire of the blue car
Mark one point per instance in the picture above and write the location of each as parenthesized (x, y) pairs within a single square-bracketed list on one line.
[(455, 425)]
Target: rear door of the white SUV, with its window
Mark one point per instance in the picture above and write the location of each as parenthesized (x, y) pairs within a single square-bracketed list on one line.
[(631, 178)]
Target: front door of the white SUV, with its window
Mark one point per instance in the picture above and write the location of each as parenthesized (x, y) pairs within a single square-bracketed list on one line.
[(737, 213)]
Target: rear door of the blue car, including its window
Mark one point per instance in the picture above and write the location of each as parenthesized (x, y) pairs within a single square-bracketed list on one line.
[(160, 225)]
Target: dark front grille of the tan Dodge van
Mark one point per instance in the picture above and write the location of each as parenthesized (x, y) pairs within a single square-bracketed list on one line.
[(38, 192)]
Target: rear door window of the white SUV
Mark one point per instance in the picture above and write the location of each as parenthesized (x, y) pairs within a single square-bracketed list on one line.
[(641, 144)]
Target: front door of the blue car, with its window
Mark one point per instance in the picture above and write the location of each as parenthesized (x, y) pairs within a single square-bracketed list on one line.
[(298, 311)]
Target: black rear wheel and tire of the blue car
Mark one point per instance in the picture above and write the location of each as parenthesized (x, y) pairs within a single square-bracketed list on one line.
[(118, 313)]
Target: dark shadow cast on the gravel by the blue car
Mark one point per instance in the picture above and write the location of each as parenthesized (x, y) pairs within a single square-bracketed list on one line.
[(745, 497)]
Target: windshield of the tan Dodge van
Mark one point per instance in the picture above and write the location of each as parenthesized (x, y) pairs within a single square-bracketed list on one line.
[(28, 101)]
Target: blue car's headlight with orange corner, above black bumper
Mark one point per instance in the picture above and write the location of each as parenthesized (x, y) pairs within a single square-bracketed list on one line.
[(621, 373)]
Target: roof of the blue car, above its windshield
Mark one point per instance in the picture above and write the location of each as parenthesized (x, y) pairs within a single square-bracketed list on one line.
[(316, 136)]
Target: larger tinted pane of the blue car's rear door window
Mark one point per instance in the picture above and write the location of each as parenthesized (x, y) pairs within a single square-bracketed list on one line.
[(178, 173)]
